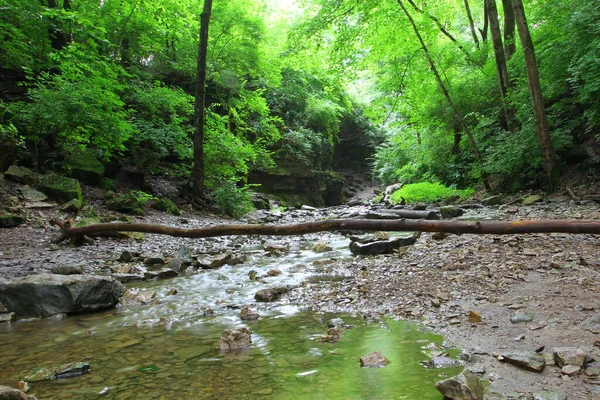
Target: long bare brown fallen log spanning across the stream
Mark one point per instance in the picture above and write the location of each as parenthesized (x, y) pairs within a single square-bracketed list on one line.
[(457, 227)]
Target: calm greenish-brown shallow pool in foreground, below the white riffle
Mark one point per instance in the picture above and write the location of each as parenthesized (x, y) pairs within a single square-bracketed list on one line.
[(284, 362)]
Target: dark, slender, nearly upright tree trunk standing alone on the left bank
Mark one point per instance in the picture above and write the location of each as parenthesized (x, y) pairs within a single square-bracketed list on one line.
[(199, 111)]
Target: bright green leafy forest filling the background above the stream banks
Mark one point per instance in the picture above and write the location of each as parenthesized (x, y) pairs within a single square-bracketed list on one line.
[(413, 92)]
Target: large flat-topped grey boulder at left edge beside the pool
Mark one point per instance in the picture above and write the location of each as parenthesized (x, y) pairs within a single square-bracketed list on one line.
[(47, 294)]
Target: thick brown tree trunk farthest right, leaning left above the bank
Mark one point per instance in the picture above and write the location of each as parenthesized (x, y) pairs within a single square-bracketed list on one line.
[(535, 90)]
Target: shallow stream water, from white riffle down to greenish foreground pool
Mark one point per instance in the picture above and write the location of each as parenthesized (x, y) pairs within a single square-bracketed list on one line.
[(168, 350)]
